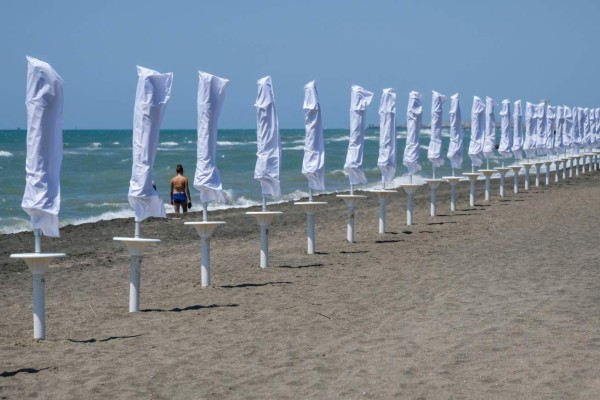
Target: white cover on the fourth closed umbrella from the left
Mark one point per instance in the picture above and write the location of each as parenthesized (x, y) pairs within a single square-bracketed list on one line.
[(268, 142)]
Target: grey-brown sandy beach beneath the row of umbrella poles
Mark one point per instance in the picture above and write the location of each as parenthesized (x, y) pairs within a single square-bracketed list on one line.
[(496, 301)]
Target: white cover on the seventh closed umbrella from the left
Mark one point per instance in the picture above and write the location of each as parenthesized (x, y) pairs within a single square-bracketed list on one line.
[(386, 162)]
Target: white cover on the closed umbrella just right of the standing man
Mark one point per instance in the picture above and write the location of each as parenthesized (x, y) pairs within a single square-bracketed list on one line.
[(211, 94)]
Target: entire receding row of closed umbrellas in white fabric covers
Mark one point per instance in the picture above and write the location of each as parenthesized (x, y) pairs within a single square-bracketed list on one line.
[(545, 130)]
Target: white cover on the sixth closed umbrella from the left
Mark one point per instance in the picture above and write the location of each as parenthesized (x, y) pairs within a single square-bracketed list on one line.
[(359, 101)]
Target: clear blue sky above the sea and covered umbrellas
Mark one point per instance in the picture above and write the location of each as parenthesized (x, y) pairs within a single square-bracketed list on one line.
[(516, 49)]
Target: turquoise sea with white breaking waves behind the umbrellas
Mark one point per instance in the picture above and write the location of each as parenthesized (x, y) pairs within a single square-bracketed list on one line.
[(96, 169)]
